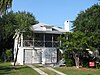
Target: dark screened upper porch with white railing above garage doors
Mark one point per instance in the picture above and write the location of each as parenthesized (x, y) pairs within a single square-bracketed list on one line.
[(41, 40)]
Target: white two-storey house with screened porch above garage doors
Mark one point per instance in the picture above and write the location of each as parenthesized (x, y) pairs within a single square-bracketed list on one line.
[(39, 47)]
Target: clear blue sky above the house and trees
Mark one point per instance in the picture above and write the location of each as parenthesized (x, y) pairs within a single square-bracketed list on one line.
[(53, 12)]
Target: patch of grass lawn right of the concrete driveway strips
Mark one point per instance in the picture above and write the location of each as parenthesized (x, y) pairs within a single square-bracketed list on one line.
[(81, 71)]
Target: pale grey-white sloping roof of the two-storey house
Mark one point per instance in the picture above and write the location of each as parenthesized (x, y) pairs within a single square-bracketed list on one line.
[(45, 28)]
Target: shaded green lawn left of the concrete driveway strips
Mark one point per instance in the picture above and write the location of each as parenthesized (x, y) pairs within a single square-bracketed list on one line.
[(7, 69)]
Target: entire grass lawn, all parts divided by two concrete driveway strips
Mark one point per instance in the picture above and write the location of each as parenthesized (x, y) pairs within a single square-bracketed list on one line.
[(7, 69)]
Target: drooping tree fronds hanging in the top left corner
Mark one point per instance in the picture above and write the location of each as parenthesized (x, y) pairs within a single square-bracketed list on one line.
[(4, 6)]
